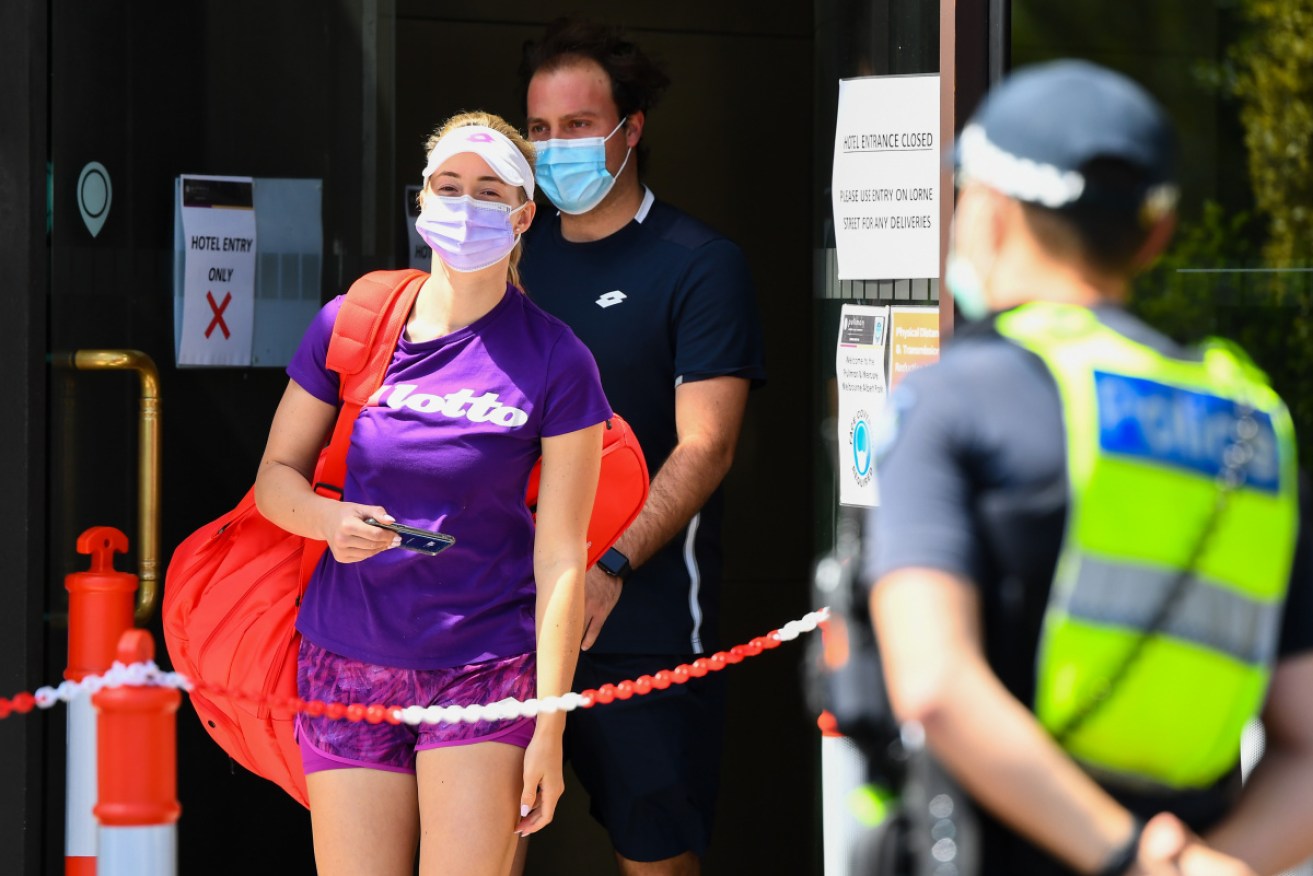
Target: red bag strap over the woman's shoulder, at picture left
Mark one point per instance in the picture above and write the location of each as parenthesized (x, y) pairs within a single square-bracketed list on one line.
[(364, 338)]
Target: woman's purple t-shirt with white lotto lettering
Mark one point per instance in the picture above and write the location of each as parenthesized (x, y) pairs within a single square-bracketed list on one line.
[(447, 445)]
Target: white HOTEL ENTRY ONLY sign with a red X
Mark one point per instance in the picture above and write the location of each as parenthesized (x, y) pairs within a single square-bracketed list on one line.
[(216, 220)]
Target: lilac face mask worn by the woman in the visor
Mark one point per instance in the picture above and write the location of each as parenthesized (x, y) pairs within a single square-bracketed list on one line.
[(468, 234)]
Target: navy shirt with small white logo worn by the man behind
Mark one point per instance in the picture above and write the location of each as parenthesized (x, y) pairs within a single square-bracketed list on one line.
[(662, 301)]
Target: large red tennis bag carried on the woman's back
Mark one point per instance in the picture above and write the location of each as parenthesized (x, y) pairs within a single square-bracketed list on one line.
[(233, 588)]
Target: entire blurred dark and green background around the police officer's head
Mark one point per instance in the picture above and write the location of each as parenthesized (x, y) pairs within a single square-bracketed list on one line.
[(1238, 77)]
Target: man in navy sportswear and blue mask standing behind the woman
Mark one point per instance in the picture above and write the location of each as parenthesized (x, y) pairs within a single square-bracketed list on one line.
[(669, 309)]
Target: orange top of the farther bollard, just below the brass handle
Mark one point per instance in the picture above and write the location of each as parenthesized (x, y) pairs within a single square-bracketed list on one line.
[(100, 605)]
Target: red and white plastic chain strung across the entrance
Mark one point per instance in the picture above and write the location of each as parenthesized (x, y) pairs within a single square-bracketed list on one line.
[(148, 674)]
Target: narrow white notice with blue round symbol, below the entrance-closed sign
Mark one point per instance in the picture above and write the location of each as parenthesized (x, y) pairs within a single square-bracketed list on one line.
[(861, 374)]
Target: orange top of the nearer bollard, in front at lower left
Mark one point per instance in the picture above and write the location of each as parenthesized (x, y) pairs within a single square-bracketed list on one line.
[(137, 747)]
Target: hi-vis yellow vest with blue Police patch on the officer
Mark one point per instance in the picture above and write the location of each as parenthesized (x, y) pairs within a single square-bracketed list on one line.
[(1147, 438)]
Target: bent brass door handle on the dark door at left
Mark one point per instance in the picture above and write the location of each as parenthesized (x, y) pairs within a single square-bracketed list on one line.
[(148, 466)]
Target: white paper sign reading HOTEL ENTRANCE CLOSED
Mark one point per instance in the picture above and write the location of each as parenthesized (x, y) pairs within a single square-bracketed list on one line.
[(886, 183)]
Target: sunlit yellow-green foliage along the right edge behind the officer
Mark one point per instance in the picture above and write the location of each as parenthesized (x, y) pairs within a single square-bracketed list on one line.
[(1243, 275)]
